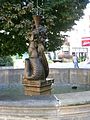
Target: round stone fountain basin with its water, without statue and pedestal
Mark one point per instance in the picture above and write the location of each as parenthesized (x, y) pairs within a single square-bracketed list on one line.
[(68, 104)]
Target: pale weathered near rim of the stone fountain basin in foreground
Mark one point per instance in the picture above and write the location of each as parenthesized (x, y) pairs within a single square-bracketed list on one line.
[(56, 107)]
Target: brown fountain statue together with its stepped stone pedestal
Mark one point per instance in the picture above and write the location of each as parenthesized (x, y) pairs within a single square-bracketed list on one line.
[(36, 66)]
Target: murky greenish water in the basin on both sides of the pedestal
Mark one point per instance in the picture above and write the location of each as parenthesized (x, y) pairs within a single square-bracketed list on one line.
[(16, 92)]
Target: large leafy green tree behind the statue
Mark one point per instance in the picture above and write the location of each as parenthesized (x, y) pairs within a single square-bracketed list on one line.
[(16, 21)]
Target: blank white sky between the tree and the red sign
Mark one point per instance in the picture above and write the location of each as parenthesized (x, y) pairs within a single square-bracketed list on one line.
[(82, 29)]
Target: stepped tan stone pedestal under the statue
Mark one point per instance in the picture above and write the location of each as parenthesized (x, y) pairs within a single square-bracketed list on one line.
[(37, 87)]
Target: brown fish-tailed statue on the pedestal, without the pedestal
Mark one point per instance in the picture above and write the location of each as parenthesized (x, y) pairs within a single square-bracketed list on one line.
[(36, 66)]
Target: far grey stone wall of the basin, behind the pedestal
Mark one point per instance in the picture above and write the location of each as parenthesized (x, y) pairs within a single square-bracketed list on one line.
[(68, 76)]
